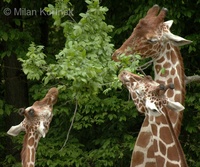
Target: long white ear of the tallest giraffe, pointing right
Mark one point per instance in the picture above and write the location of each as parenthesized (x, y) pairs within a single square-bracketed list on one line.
[(176, 40)]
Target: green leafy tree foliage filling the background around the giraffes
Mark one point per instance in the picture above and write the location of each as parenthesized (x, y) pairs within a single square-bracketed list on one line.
[(77, 60)]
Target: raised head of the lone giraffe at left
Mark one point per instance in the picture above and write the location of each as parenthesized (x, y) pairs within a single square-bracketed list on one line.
[(38, 116)]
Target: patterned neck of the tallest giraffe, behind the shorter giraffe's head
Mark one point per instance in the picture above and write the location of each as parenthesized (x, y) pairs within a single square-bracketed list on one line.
[(168, 68)]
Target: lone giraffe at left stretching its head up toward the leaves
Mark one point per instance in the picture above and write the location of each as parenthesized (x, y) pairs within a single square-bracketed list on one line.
[(36, 125)]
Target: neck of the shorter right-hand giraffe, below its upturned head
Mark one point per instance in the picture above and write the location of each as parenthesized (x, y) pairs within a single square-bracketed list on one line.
[(167, 148)]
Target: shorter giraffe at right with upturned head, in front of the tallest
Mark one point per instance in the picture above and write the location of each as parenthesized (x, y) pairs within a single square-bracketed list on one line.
[(149, 95)]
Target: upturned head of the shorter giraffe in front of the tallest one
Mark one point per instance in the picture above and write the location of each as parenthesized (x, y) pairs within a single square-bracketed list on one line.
[(148, 94)]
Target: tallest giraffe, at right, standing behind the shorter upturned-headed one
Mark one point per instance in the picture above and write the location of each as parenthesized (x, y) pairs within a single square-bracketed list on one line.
[(152, 38)]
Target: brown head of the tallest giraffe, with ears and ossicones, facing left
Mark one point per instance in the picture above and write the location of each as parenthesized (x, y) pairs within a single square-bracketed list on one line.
[(150, 36)]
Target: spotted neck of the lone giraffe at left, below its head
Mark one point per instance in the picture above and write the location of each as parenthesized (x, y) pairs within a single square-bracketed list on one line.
[(30, 144)]
